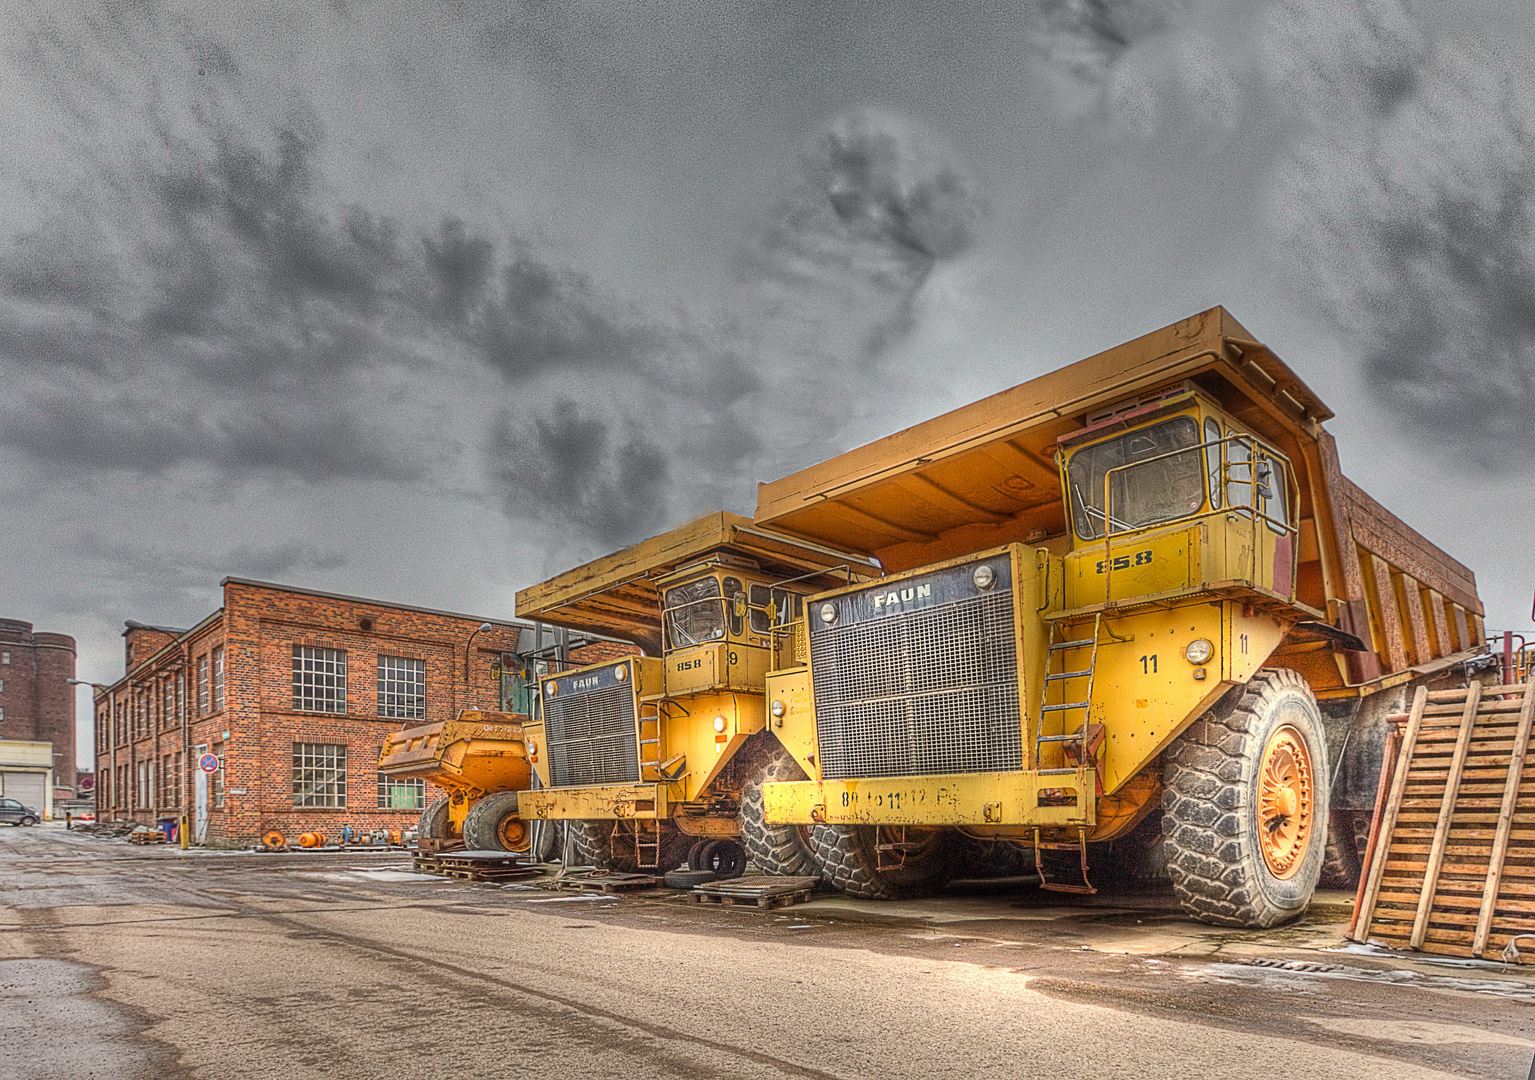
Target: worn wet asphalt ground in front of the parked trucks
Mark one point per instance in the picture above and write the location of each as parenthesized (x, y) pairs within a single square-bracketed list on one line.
[(127, 963)]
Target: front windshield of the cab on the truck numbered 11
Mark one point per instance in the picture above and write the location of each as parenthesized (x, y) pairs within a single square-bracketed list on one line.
[(1158, 492)]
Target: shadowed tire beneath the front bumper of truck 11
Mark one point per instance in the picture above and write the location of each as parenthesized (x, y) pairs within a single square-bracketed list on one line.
[(850, 861)]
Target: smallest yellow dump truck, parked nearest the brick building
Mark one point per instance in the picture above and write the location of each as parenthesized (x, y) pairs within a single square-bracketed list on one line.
[(481, 760)]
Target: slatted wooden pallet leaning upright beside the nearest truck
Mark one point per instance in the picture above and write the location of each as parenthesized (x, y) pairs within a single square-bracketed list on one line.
[(1451, 863)]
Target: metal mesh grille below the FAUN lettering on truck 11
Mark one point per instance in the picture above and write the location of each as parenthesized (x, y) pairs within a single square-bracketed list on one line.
[(916, 694)]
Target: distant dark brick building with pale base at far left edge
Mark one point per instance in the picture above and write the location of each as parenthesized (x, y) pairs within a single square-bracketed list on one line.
[(38, 705)]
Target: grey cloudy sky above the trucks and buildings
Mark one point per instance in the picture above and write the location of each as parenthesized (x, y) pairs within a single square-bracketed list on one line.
[(429, 301)]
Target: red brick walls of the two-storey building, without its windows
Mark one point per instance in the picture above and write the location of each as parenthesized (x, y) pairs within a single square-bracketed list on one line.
[(257, 630)]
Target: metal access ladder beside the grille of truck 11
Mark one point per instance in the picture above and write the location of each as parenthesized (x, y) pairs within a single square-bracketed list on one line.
[(1074, 743)]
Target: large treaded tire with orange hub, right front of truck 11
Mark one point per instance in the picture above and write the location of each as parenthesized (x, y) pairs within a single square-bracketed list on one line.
[(1246, 805)]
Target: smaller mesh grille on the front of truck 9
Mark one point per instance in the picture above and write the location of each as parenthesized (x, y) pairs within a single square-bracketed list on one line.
[(592, 739)]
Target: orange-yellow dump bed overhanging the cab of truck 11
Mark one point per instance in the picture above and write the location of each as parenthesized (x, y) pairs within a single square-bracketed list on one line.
[(986, 475)]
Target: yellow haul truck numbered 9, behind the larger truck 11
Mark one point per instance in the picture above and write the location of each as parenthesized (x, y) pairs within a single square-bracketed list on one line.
[(661, 759)]
